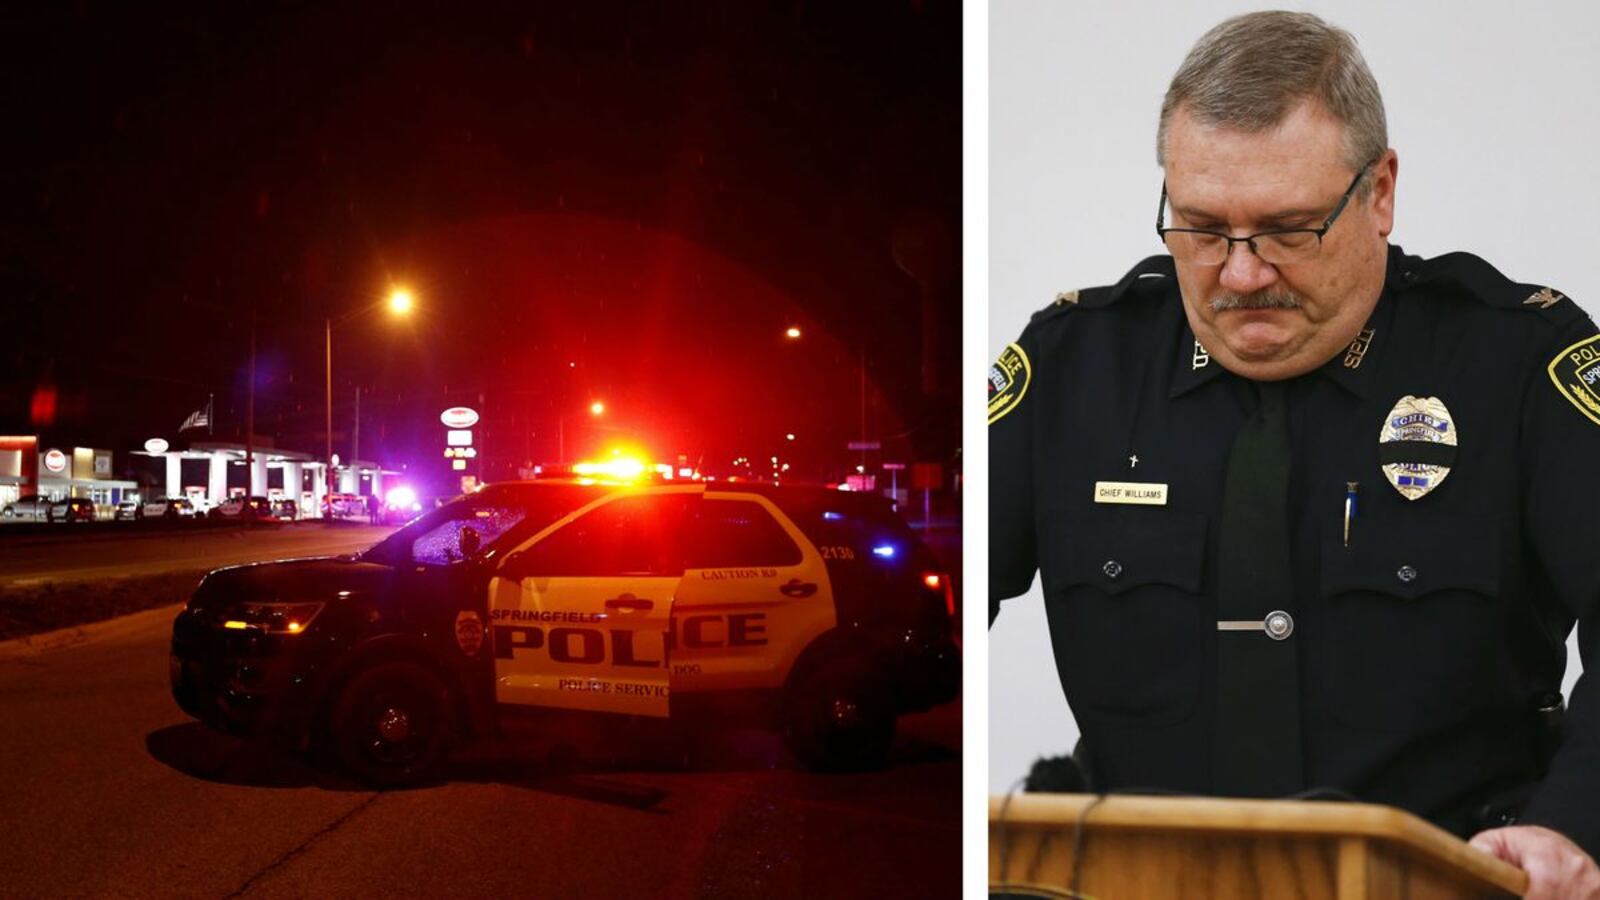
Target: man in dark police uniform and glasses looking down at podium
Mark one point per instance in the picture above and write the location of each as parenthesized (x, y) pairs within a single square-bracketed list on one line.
[(1311, 513)]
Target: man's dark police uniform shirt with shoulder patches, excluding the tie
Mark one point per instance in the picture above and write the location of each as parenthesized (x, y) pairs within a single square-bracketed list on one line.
[(1425, 645)]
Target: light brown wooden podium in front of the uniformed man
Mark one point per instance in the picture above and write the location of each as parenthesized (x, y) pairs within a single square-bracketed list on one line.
[(1225, 850)]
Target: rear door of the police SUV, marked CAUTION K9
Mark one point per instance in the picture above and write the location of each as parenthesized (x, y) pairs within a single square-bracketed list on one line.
[(754, 595)]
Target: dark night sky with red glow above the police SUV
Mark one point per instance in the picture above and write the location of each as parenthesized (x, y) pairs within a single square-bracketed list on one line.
[(590, 201)]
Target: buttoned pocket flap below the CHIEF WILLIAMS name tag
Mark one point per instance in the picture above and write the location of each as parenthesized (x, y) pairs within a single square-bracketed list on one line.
[(1119, 550)]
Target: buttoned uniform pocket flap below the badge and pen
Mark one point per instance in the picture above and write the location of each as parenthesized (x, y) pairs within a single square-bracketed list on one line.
[(1425, 556)]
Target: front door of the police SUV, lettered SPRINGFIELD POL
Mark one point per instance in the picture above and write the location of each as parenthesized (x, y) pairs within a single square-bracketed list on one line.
[(580, 614)]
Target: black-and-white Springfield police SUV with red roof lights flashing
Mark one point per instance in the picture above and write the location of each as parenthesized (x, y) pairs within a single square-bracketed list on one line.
[(818, 613)]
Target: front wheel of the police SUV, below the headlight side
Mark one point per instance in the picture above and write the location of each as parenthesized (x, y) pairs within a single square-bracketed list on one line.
[(391, 726)]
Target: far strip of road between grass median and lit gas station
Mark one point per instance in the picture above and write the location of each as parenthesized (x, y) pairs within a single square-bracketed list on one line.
[(127, 548)]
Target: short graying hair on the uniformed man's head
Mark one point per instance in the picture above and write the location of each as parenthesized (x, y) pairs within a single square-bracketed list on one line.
[(1252, 71)]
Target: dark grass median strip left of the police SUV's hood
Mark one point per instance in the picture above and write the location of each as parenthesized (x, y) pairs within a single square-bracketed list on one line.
[(36, 609)]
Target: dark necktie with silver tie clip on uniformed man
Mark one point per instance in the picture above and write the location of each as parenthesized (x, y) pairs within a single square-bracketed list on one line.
[(1258, 728)]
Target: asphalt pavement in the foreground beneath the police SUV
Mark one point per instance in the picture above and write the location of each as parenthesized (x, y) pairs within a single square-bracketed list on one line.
[(110, 790)]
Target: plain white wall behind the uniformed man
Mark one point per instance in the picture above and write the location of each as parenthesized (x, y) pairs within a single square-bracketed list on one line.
[(1492, 108)]
